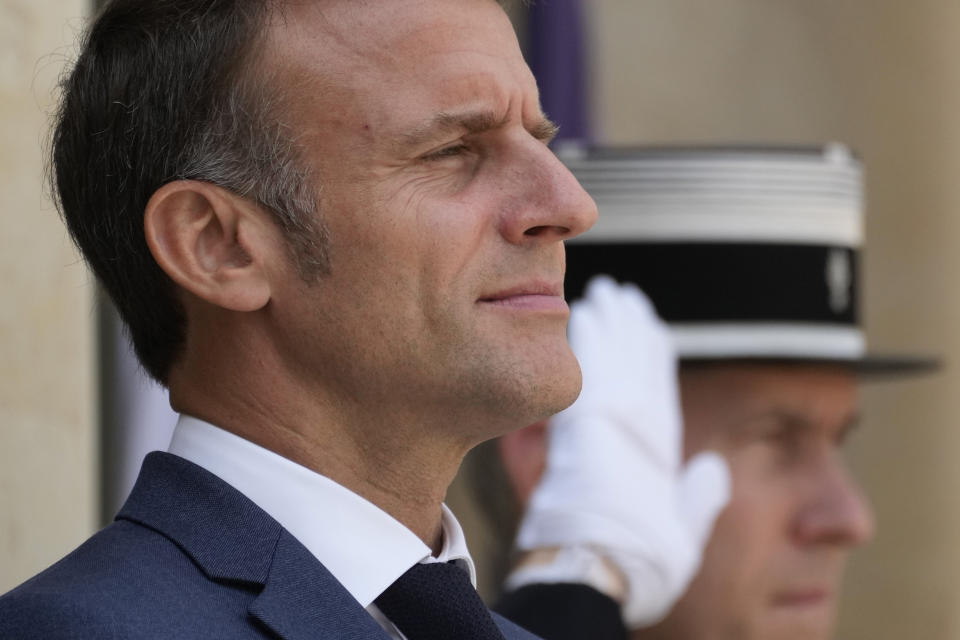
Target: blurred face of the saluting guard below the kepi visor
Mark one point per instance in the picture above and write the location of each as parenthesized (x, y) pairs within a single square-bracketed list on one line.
[(773, 567)]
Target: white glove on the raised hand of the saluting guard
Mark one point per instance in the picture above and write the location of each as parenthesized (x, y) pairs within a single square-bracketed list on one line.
[(615, 482)]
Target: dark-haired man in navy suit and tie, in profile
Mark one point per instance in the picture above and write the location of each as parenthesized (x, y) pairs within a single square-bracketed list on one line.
[(334, 230)]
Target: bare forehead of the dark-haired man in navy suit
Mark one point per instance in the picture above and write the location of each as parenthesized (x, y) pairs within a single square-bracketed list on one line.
[(357, 52)]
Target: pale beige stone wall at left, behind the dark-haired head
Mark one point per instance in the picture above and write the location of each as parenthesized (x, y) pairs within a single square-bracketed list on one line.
[(47, 371)]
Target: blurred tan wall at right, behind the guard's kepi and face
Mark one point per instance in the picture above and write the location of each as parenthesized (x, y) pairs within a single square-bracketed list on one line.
[(880, 75)]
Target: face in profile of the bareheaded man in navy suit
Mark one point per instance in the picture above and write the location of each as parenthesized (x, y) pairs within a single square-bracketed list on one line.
[(445, 210)]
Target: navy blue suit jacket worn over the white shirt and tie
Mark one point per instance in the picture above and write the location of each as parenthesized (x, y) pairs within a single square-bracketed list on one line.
[(189, 556)]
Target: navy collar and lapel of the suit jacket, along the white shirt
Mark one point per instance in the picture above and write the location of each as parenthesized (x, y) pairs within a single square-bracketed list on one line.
[(232, 540)]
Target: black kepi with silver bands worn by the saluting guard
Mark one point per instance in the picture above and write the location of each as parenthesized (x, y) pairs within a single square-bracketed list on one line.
[(748, 253)]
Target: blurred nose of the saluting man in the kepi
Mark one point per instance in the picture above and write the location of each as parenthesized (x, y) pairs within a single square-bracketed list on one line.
[(836, 512)]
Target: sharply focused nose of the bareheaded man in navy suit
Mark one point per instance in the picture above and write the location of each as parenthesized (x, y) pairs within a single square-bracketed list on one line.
[(547, 203)]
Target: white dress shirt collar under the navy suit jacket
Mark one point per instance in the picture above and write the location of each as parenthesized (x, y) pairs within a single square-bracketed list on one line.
[(366, 551)]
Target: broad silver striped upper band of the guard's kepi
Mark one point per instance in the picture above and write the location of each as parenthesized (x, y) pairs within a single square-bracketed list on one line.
[(800, 195)]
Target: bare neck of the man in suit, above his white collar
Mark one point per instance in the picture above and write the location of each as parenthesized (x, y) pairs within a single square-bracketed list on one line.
[(401, 462)]
